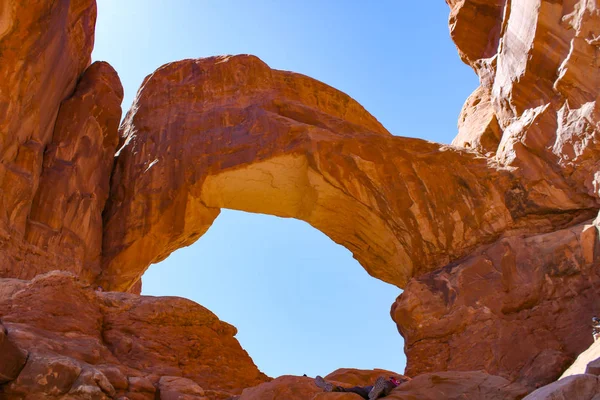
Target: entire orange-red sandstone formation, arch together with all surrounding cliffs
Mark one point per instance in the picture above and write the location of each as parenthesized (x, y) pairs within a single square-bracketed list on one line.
[(493, 239)]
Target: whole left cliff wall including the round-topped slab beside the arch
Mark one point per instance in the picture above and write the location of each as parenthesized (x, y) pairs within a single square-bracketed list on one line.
[(55, 160)]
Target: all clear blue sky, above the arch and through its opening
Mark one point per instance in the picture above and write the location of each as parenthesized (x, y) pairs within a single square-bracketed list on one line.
[(301, 303)]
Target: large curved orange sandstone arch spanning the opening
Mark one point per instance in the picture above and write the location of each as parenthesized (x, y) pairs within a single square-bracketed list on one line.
[(230, 132)]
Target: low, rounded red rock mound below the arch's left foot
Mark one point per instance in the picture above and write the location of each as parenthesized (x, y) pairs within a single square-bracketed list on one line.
[(117, 344)]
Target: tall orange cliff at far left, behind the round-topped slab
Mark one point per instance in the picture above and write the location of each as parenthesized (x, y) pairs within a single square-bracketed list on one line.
[(45, 47)]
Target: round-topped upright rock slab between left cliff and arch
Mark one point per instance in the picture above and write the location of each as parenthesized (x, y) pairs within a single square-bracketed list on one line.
[(74, 183)]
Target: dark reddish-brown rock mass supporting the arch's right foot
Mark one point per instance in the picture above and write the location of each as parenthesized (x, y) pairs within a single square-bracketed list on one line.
[(520, 308)]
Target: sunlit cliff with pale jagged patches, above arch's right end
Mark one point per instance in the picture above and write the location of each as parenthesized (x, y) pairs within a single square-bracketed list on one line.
[(536, 60)]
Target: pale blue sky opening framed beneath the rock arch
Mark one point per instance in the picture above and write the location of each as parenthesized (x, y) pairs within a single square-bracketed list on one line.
[(301, 303)]
